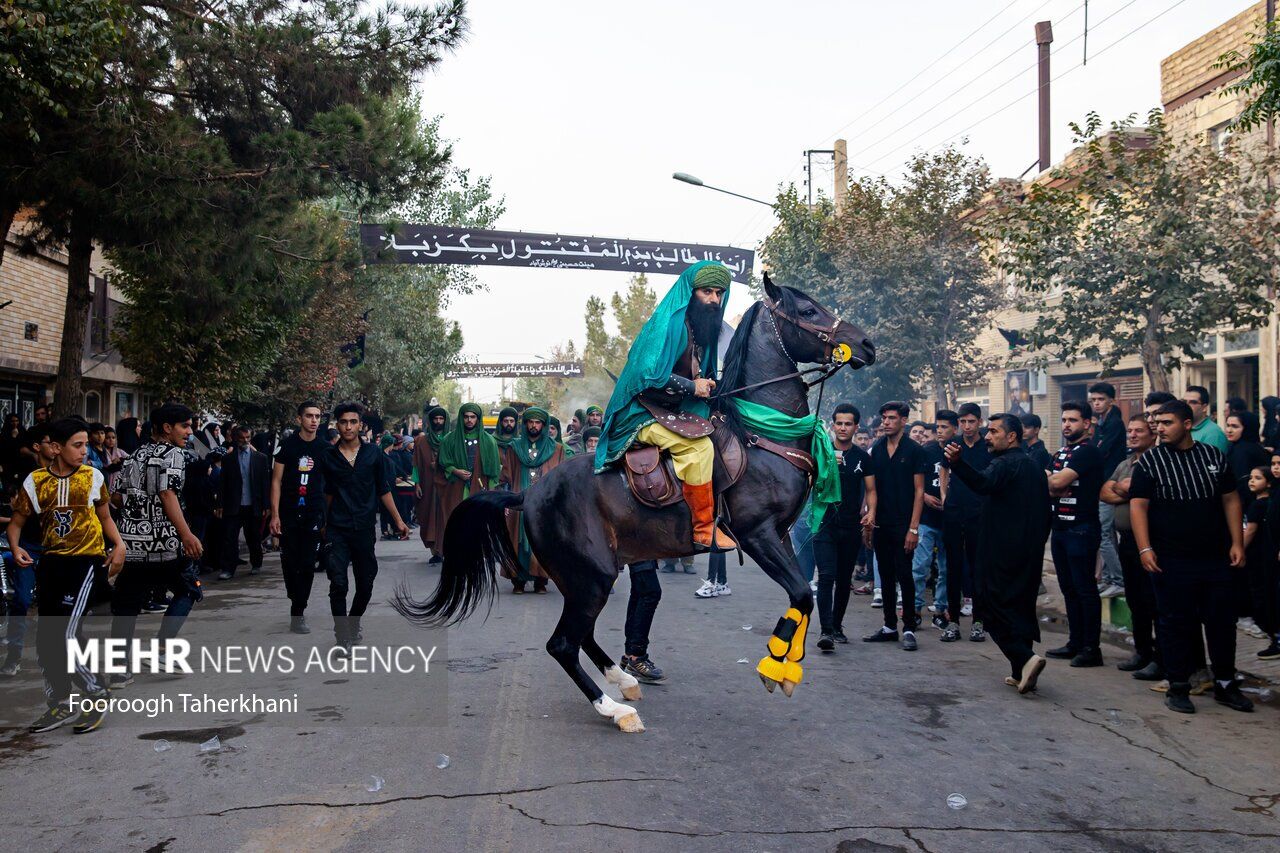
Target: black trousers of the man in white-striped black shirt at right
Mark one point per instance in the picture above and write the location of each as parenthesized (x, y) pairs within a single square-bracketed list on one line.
[(1191, 594)]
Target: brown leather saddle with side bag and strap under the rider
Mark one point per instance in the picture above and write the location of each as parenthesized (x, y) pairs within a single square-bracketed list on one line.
[(652, 476)]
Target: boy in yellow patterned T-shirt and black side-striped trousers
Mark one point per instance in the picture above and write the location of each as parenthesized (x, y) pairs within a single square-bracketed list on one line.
[(74, 507)]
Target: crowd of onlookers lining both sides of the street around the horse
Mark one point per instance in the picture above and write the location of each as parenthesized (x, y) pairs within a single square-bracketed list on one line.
[(941, 522)]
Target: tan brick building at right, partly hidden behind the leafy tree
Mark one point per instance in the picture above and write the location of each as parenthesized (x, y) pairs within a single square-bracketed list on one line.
[(1237, 363)]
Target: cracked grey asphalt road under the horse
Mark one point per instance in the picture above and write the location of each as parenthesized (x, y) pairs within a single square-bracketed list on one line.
[(862, 759)]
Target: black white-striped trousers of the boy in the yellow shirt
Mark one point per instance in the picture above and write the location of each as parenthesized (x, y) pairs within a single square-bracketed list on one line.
[(66, 587)]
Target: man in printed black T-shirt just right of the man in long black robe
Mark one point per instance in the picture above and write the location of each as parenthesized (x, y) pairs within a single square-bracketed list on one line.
[(1075, 486)]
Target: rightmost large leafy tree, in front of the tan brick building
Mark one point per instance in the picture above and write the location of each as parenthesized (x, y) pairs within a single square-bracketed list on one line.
[(1141, 247)]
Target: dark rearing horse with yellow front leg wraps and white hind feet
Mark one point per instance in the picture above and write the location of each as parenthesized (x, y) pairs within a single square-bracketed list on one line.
[(586, 527)]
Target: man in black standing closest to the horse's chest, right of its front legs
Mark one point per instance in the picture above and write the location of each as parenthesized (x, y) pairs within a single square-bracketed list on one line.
[(835, 549)]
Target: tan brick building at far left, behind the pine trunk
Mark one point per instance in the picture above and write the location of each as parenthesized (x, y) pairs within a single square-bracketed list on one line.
[(34, 294)]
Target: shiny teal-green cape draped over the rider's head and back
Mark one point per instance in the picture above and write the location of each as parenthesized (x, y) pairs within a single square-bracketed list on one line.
[(653, 358)]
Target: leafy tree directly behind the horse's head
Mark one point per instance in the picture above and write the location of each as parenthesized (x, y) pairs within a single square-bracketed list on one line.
[(902, 263)]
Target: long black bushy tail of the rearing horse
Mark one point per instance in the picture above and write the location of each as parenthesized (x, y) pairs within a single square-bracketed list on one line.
[(476, 546)]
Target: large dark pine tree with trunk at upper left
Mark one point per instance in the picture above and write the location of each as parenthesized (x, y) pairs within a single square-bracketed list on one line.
[(211, 126)]
